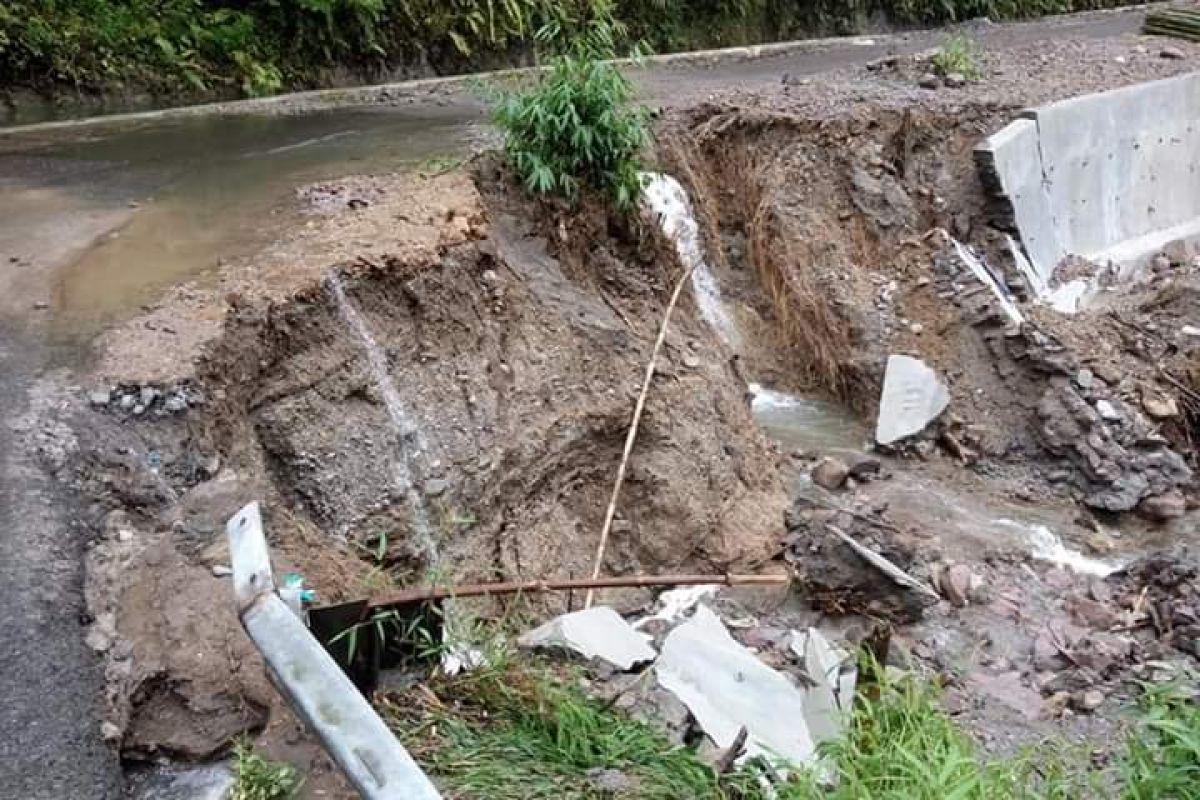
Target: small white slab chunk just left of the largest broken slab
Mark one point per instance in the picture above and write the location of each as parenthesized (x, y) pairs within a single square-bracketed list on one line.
[(597, 633)]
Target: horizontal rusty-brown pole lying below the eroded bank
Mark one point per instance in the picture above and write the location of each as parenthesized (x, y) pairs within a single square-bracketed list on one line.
[(568, 585)]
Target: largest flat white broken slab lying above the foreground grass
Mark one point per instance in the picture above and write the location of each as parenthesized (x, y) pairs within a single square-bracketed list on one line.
[(727, 689)]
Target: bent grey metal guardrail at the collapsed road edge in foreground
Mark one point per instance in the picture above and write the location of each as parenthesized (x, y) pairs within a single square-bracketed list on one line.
[(309, 678)]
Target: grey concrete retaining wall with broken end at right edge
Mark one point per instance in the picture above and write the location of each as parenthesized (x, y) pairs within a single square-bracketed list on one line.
[(1111, 177)]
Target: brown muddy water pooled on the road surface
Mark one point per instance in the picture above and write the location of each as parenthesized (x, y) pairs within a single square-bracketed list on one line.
[(117, 219)]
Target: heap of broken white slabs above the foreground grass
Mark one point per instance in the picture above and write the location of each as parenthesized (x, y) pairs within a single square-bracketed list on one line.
[(705, 677)]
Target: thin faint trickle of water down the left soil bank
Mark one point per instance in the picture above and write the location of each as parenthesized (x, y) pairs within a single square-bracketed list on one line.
[(411, 443)]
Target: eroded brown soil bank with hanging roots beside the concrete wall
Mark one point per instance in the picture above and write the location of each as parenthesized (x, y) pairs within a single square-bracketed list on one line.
[(838, 227)]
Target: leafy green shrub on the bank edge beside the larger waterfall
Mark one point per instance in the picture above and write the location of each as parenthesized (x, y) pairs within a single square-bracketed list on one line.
[(575, 127)]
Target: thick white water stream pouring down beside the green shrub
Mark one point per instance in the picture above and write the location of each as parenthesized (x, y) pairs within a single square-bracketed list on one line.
[(669, 202)]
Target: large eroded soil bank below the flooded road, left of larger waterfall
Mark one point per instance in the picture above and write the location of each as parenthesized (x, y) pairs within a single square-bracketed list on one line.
[(515, 359)]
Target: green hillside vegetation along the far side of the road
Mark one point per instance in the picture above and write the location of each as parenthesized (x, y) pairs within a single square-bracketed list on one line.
[(263, 46)]
